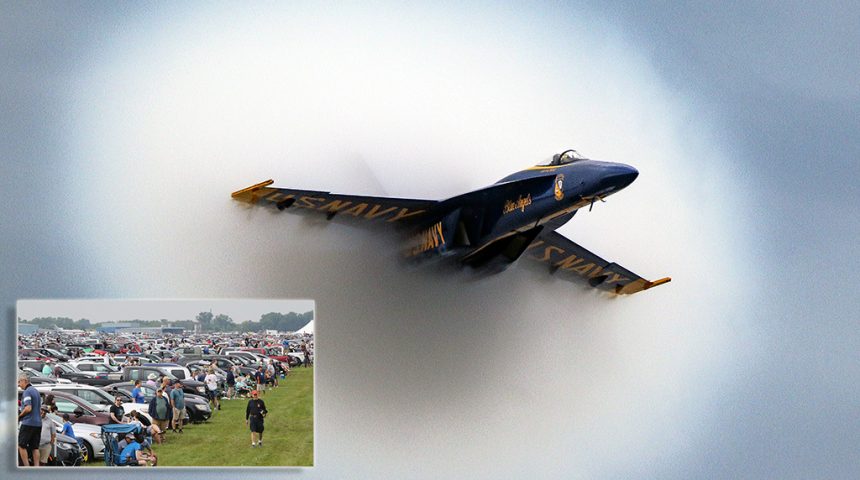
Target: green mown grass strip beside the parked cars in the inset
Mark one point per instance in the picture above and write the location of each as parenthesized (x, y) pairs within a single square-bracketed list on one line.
[(225, 440)]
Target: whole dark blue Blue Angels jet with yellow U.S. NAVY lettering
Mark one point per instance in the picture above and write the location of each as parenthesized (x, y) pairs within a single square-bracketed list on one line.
[(491, 227)]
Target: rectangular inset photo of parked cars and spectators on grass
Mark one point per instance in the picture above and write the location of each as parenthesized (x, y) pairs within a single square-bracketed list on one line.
[(166, 383)]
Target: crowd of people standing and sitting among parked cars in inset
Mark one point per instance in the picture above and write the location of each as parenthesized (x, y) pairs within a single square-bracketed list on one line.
[(165, 411)]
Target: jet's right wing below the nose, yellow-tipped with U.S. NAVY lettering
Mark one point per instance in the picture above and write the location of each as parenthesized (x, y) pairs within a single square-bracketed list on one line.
[(569, 260)]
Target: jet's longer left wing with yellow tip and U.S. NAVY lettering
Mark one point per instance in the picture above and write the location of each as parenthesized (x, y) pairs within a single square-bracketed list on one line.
[(399, 211)]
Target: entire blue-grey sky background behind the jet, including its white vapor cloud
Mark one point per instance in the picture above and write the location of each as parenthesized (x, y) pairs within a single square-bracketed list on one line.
[(123, 128)]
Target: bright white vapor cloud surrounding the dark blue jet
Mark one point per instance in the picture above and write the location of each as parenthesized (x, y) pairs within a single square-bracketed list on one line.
[(424, 373)]
